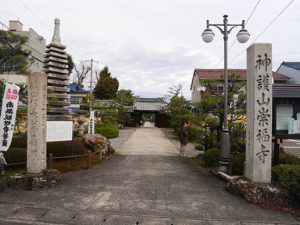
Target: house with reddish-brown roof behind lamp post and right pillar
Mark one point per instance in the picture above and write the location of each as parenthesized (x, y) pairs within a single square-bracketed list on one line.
[(200, 74)]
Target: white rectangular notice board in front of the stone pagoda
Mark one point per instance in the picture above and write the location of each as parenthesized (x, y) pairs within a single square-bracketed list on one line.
[(59, 131)]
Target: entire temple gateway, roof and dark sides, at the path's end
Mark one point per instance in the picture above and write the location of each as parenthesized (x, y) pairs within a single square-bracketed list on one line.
[(150, 107)]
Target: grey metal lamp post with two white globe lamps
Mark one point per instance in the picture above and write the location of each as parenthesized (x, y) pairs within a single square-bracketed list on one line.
[(208, 36)]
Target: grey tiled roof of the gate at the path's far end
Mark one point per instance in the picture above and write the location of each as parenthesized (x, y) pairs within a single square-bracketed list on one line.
[(147, 104)]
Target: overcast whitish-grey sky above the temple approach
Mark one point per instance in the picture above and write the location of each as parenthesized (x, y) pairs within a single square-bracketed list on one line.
[(151, 45)]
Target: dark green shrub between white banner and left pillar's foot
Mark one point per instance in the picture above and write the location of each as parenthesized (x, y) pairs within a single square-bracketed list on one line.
[(15, 155)]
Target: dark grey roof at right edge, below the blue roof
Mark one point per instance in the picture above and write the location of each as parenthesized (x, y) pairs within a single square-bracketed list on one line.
[(286, 91)]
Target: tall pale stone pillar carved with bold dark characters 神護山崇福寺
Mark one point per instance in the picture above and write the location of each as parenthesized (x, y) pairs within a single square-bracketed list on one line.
[(259, 113)]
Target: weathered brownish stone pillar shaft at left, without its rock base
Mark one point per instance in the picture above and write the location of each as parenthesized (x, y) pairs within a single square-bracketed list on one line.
[(37, 118)]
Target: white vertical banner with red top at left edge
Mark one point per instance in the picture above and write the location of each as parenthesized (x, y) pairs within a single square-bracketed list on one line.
[(8, 115)]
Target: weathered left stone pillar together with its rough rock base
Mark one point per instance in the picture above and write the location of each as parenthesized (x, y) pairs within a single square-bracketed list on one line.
[(37, 177)]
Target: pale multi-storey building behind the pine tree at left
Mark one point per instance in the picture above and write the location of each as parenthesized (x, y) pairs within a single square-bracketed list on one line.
[(36, 44)]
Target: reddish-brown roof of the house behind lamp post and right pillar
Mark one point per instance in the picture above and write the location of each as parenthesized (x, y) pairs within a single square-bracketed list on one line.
[(216, 74)]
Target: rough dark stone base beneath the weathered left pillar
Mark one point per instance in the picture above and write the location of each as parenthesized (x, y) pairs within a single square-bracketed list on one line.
[(33, 182)]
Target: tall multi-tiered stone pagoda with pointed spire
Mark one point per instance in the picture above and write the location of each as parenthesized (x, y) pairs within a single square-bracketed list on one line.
[(56, 68)]
